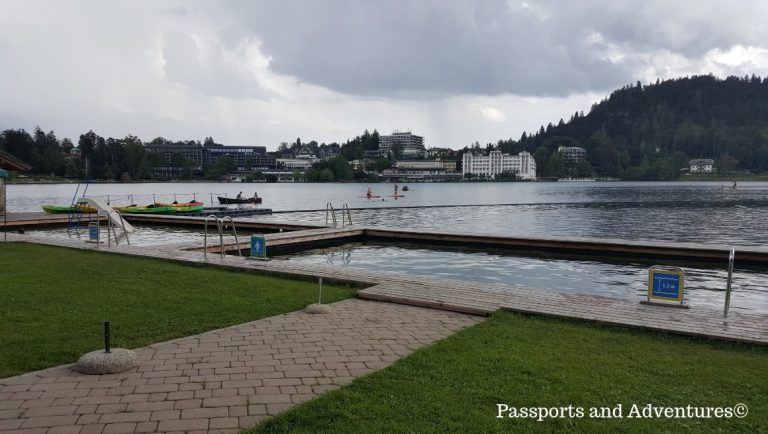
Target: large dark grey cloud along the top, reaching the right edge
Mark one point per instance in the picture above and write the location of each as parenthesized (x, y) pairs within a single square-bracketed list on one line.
[(423, 48)]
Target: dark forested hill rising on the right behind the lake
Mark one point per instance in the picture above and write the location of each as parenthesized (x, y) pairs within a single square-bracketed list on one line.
[(650, 132)]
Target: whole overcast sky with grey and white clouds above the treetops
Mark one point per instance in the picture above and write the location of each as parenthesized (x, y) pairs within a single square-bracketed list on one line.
[(264, 72)]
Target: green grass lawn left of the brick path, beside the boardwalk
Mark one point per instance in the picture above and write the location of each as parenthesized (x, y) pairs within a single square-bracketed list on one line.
[(53, 302)]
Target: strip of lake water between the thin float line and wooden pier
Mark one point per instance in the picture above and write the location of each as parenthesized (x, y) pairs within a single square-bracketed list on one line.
[(708, 223)]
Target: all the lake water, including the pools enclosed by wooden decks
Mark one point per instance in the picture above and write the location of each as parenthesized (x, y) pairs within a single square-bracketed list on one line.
[(702, 212)]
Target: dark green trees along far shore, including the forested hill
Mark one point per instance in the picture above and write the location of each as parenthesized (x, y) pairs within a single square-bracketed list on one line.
[(639, 132)]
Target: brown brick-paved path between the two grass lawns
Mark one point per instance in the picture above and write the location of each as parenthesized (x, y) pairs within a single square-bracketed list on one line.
[(227, 379)]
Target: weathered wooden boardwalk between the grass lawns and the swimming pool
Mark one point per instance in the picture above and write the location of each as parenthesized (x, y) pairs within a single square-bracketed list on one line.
[(460, 296)]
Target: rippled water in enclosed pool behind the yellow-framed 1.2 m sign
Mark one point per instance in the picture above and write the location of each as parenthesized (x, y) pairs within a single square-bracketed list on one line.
[(703, 286)]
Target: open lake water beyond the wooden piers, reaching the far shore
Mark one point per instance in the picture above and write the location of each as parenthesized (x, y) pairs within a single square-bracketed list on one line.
[(706, 212)]
